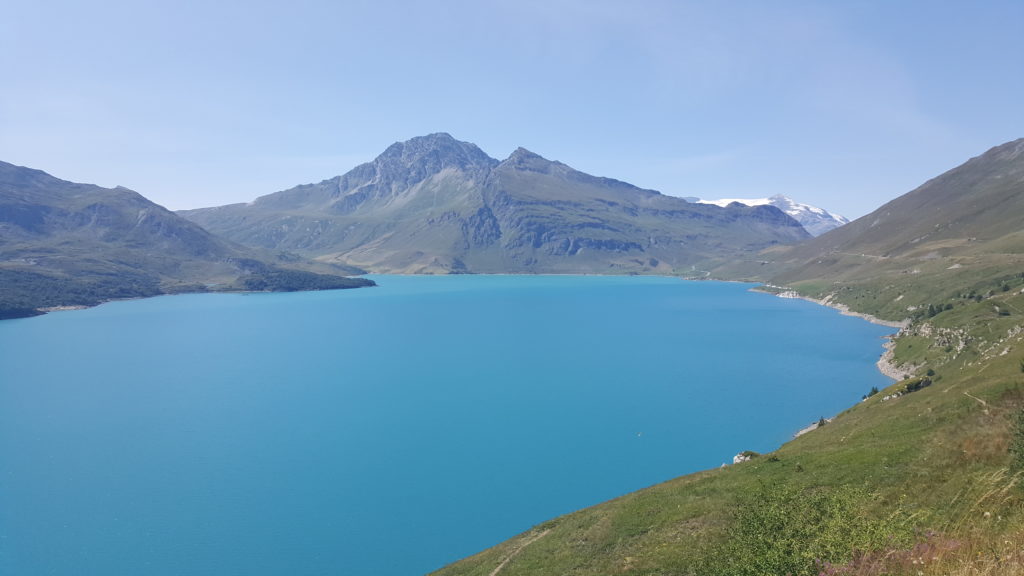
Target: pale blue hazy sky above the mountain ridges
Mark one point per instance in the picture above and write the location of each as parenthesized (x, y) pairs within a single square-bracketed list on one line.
[(840, 105)]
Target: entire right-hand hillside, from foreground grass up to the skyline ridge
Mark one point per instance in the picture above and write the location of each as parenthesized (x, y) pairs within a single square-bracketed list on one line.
[(920, 479)]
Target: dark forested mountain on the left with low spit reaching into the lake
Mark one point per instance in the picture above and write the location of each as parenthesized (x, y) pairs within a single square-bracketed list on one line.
[(67, 244)]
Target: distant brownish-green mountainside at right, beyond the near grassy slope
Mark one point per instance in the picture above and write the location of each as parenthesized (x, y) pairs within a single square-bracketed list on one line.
[(963, 227)]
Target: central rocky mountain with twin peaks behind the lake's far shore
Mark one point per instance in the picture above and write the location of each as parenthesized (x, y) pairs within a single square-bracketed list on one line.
[(435, 204)]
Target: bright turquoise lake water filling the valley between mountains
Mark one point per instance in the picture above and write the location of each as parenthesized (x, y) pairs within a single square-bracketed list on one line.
[(388, 431)]
